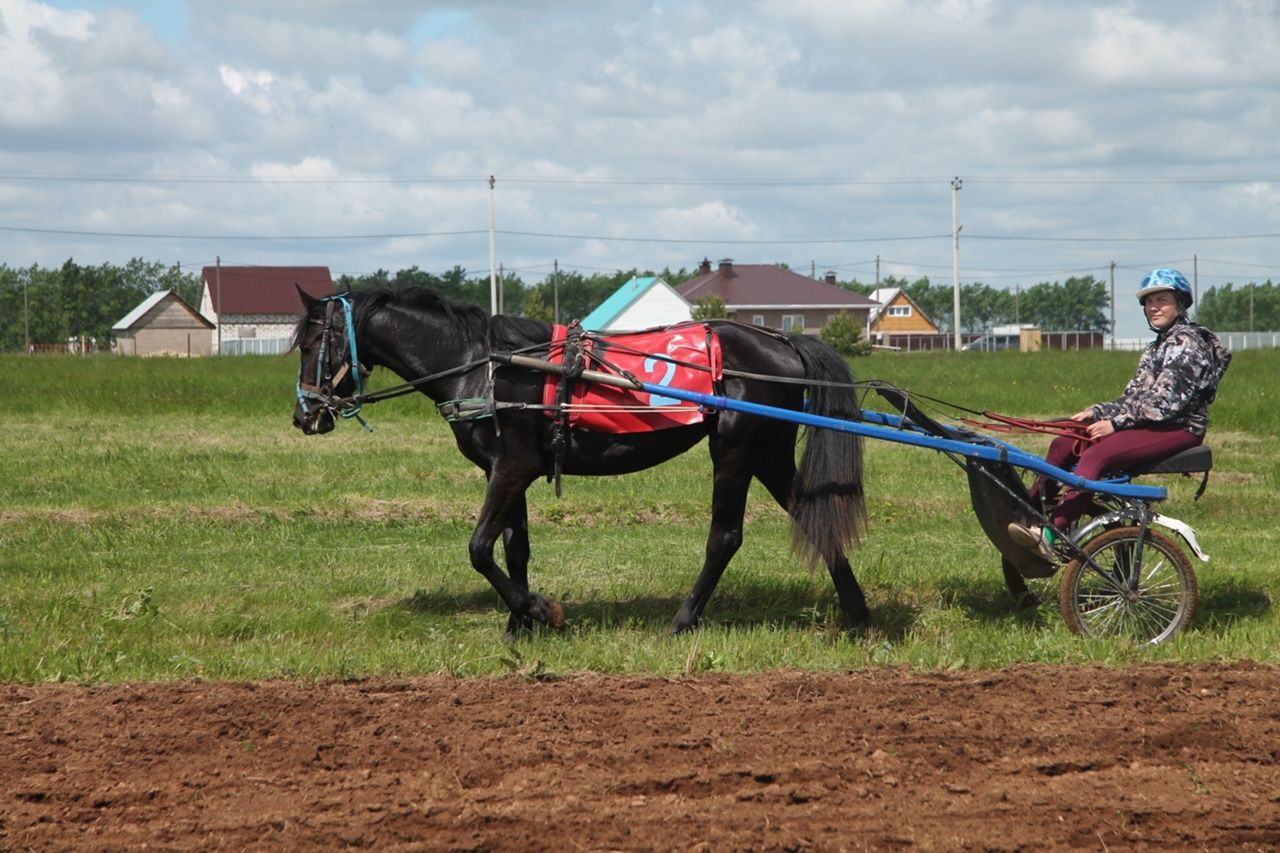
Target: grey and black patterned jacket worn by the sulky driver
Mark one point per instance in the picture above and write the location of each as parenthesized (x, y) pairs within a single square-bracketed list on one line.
[(1177, 380)]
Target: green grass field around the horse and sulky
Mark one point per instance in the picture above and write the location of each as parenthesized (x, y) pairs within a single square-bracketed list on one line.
[(162, 519)]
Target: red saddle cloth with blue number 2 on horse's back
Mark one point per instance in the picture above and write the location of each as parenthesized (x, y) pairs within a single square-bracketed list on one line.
[(685, 357)]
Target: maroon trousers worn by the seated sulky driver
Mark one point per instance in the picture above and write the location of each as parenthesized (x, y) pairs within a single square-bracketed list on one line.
[(1109, 457)]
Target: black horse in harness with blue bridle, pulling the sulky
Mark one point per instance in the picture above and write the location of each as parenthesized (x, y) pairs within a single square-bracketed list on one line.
[(445, 349)]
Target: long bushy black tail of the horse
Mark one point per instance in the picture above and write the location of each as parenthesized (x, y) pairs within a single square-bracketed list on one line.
[(829, 505)]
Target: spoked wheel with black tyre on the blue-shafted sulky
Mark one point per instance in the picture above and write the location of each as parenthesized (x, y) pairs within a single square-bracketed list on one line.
[(1148, 595)]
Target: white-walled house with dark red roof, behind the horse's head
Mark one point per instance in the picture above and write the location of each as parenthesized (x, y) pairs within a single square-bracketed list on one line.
[(255, 309)]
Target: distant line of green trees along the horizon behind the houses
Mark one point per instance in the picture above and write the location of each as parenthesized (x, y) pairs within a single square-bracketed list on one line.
[(54, 305)]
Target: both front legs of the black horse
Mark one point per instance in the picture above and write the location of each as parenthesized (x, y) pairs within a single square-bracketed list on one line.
[(502, 496)]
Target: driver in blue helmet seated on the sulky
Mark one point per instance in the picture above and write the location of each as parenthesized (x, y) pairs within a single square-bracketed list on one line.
[(1163, 412)]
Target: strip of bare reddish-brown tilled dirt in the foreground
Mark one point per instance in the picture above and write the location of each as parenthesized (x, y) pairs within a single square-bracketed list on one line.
[(1030, 758)]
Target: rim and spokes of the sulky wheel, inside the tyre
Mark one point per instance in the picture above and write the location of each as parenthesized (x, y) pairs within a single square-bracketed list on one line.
[(1112, 605)]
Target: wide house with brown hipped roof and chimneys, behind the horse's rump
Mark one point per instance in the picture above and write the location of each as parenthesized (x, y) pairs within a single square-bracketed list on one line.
[(772, 297)]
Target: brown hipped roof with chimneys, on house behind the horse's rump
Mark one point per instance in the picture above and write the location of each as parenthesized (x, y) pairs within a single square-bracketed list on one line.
[(766, 286)]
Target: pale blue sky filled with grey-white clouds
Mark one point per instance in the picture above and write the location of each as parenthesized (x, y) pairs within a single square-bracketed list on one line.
[(825, 135)]
